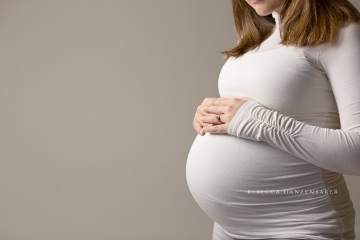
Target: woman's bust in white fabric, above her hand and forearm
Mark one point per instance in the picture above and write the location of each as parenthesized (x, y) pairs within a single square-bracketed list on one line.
[(282, 79)]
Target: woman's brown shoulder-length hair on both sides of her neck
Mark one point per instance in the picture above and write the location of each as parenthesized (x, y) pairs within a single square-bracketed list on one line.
[(303, 23)]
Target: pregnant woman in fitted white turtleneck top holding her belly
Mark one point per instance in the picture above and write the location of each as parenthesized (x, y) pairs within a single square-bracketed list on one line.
[(270, 152)]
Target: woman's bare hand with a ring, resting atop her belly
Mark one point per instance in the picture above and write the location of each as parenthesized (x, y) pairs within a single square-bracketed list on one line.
[(214, 115)]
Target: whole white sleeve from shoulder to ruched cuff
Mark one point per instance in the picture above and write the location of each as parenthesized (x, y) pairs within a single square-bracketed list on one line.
[(336, 150)]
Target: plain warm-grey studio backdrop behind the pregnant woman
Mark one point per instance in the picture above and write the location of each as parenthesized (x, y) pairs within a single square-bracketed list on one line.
[(97, 99)]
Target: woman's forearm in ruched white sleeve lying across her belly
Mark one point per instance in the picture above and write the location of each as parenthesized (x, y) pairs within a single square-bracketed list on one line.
[(336, 150)]
